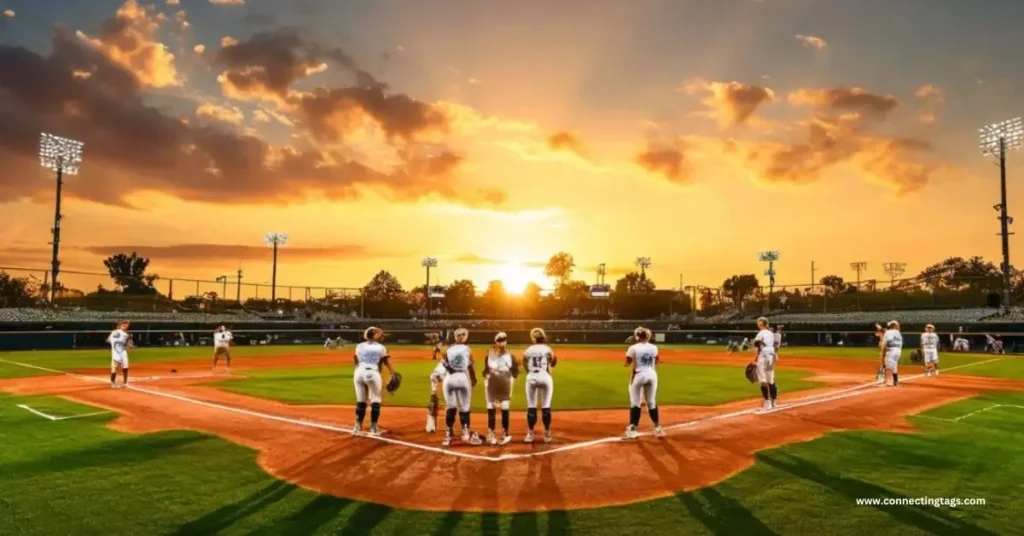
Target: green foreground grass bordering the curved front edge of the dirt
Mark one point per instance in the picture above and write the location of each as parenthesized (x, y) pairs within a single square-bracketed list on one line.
[(78, 477)]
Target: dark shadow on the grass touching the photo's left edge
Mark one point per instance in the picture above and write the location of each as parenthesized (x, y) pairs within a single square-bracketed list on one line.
[(120, 453)]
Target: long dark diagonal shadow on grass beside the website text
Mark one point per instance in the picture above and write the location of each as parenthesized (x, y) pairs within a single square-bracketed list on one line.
[(928, 519)]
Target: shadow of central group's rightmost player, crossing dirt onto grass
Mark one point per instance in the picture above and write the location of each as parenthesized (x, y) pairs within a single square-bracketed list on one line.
[(721, 515)]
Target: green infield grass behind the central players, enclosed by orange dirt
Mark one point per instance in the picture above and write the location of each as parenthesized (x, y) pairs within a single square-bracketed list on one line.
[(579, 385)]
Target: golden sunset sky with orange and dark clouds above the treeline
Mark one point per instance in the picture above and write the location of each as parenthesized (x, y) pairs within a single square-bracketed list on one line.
[(494, 135)]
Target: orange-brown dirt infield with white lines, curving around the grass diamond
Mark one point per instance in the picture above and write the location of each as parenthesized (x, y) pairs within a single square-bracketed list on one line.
[(586, 467)]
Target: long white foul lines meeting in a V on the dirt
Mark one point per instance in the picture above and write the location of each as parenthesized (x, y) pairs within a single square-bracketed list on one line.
[(798, 403)]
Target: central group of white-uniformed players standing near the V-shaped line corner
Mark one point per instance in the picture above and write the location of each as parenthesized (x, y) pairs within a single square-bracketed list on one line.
[(456, 376)]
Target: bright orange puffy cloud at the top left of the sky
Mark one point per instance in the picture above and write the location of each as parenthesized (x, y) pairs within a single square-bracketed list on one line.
[(131, 42)]
